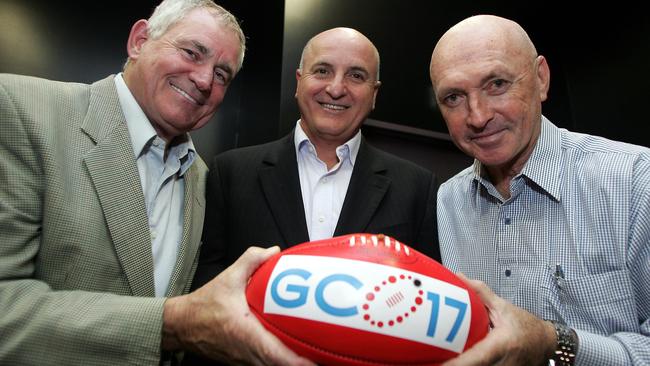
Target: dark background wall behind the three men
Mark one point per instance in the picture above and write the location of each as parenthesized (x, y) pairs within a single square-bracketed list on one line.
[(598, 56)]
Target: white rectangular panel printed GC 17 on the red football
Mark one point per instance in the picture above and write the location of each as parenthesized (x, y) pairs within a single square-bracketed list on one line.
[(371, 297)]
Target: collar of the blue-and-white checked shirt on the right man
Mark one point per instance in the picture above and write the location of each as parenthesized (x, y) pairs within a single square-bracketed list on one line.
[(545, 164)]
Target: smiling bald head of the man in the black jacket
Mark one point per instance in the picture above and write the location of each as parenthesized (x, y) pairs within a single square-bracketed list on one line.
[(337, 85)]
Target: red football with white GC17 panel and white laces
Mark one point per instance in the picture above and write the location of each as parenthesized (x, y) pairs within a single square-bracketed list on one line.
[(365, 299)]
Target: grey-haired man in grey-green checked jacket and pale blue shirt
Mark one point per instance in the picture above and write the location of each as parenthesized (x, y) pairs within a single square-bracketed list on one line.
[(101, 207)]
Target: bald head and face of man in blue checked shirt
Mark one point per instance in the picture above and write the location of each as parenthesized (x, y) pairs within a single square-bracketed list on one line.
[(489, 85)]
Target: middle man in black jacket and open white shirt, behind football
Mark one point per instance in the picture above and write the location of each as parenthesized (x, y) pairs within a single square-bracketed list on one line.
[(323, 179)]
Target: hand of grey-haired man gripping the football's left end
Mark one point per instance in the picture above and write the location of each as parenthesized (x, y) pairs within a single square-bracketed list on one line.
[(215, 320)]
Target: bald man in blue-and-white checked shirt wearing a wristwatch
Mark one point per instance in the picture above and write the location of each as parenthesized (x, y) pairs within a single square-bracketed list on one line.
[(553, 223)]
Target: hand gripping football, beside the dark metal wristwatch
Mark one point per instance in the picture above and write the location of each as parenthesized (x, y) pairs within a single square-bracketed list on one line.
[(517, 336)]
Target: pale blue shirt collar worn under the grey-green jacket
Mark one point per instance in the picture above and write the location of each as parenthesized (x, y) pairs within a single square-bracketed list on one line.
[(142, 132)]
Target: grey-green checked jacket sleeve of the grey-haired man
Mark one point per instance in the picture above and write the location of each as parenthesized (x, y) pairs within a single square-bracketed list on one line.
[(38, 325)]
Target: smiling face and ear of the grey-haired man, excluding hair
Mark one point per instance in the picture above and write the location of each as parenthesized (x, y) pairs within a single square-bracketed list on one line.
[(180, 78)]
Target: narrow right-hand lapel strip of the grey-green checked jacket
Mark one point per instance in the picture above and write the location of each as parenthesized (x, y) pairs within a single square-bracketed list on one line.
[(193, 215)]
